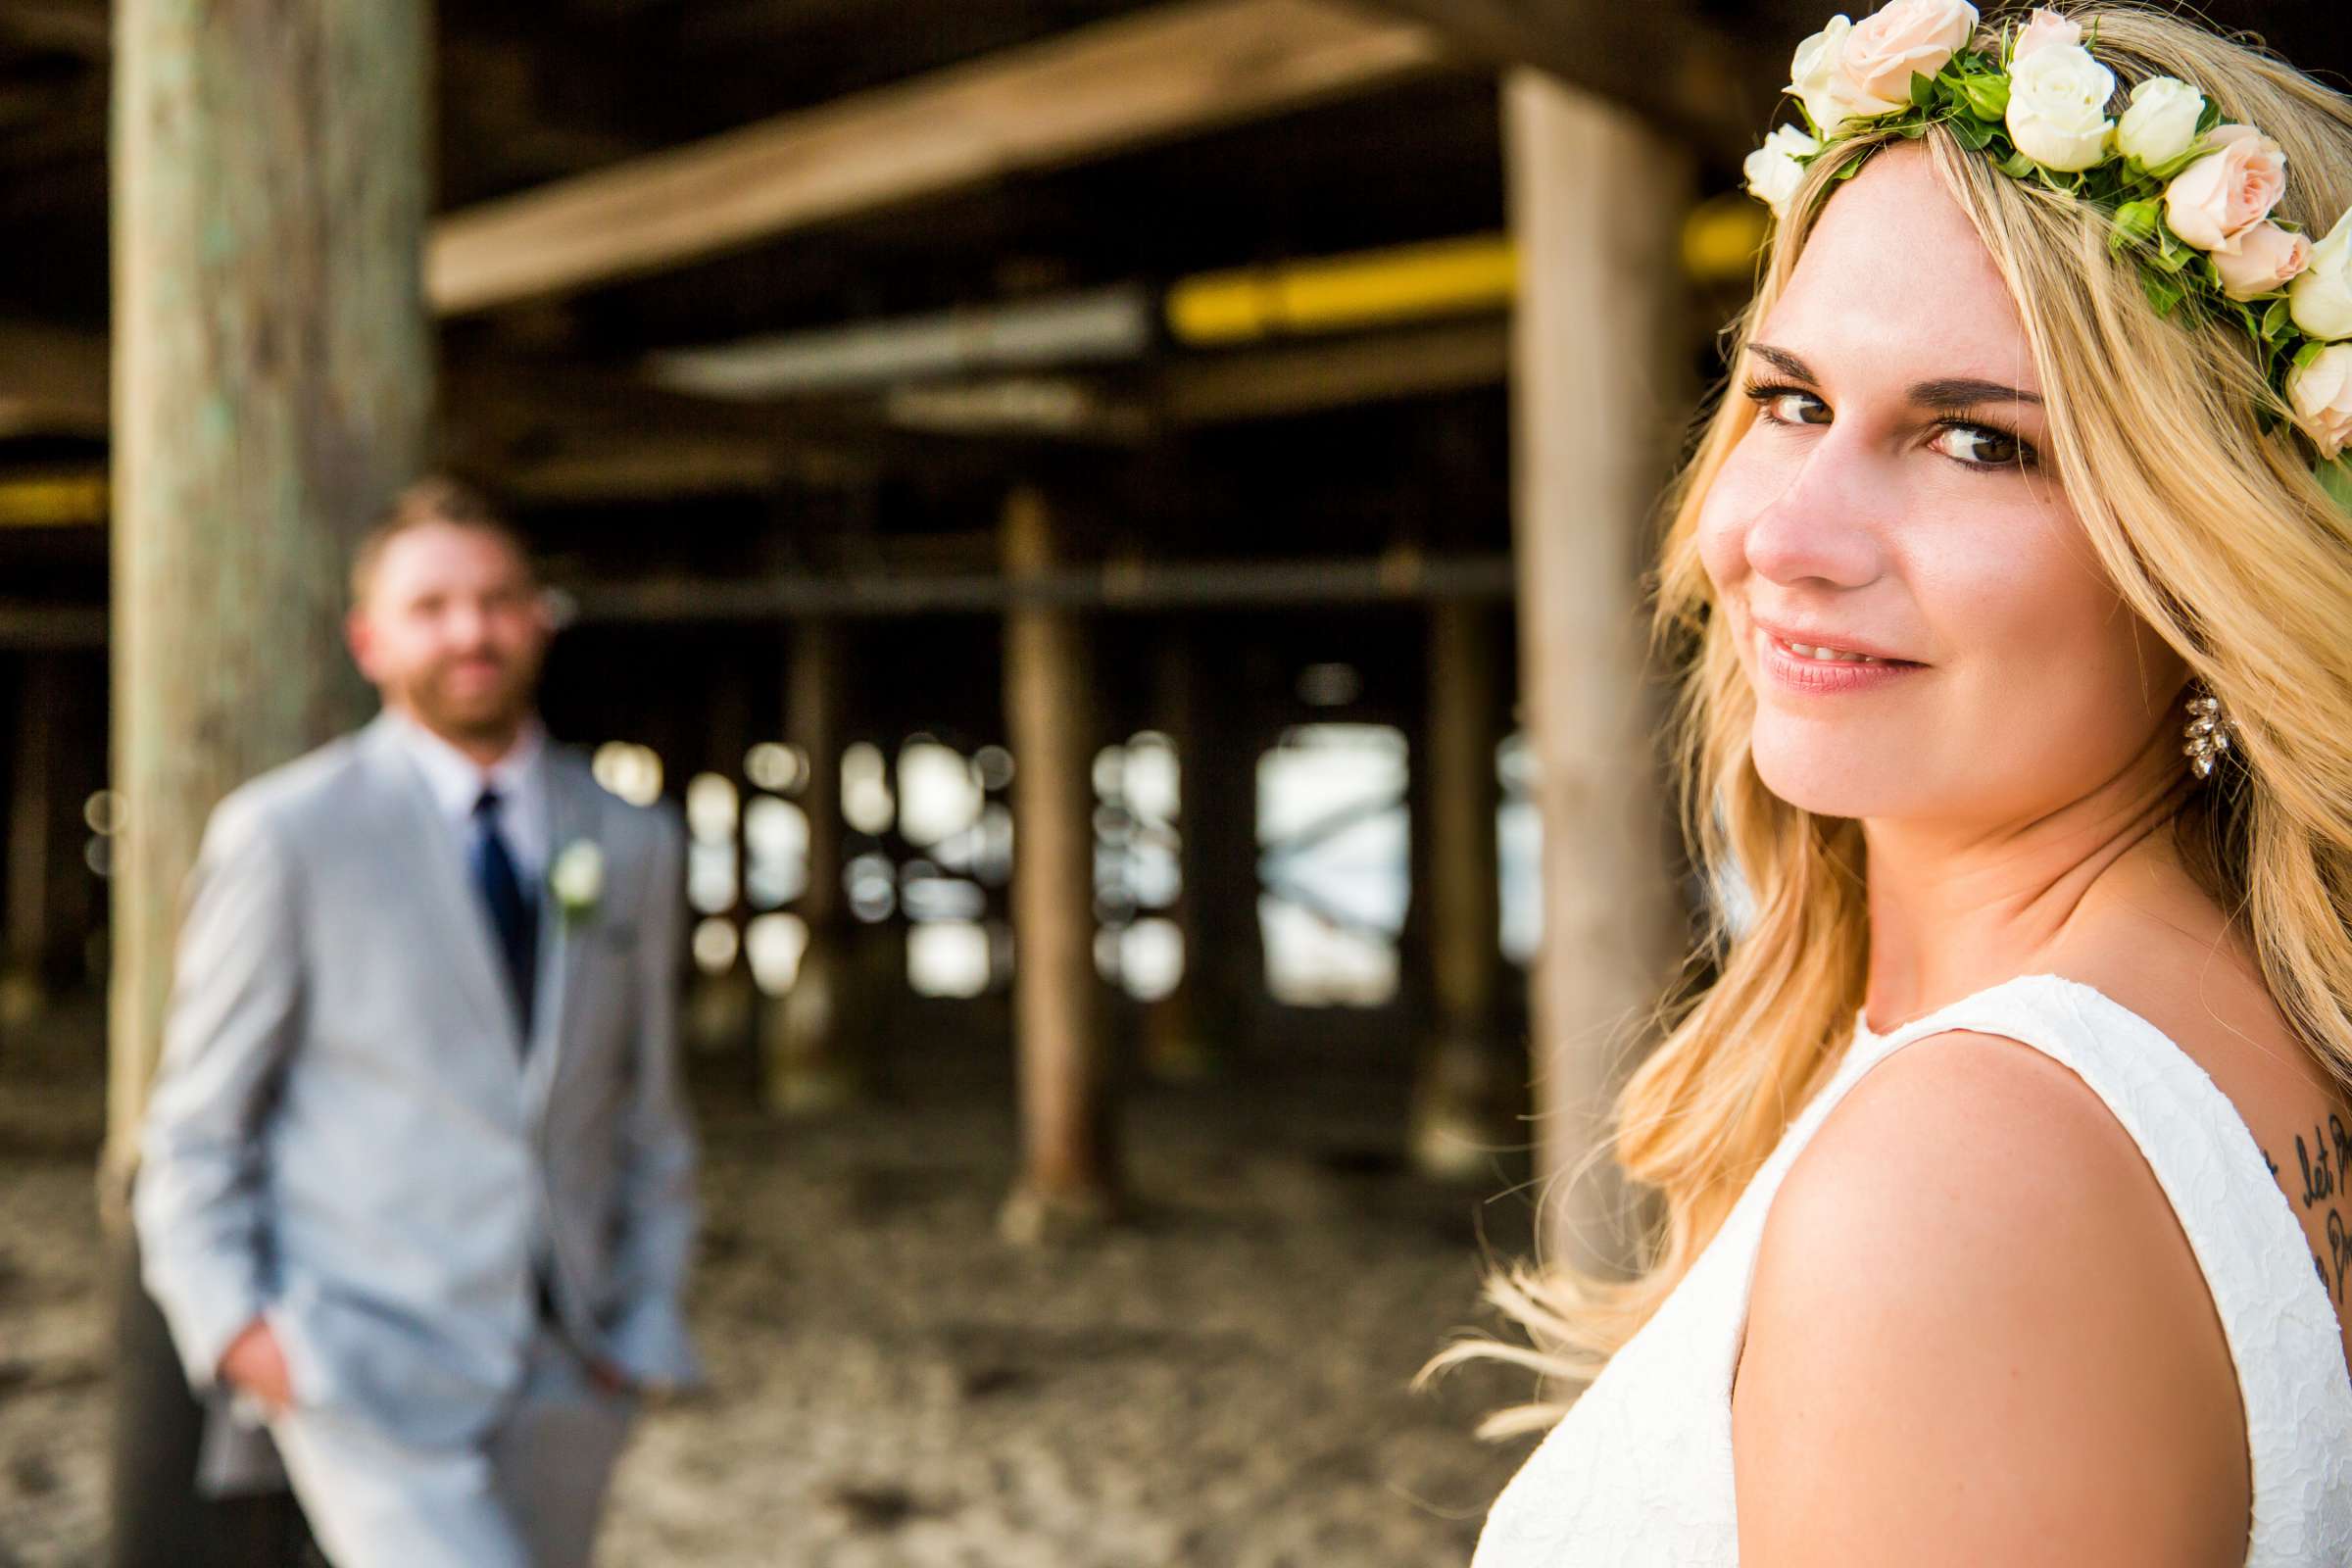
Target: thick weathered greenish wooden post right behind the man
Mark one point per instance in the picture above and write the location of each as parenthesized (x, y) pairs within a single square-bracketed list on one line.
[(272, 391)]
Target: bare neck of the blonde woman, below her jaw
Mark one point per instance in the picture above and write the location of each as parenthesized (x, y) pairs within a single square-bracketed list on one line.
[(1963, 906)]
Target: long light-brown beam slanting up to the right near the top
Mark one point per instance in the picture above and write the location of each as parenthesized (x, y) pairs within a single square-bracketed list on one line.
[(1088, 93)]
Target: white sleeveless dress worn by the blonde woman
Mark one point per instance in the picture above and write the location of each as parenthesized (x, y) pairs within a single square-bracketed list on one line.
[(1641, 1470)]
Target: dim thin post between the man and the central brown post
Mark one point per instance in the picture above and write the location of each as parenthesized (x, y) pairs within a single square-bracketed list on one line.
[(808, 1052)]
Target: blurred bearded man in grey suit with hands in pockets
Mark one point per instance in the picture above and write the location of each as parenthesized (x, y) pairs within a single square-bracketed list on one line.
[(417, 1181)]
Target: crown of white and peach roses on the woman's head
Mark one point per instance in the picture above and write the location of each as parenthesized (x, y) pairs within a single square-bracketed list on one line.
[(2186, 194)]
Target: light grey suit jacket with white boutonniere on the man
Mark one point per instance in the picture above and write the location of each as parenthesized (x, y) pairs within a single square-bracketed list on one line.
[(347, 1132)]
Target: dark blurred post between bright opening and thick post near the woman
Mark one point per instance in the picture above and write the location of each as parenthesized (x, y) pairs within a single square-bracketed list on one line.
[(1466, 1080)]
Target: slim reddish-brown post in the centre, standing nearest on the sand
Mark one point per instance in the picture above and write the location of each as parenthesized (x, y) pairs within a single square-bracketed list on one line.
[(1069, 1153)]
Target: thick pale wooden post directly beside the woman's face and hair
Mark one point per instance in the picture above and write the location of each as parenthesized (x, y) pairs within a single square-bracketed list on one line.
[(1596, 201)]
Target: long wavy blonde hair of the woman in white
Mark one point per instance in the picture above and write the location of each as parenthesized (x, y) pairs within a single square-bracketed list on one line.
[(2212, 530)]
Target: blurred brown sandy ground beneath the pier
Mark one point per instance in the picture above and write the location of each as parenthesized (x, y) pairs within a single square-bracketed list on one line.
[(1222, 1383)]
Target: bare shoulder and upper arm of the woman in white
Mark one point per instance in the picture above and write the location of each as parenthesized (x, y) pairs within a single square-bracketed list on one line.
[(1977, 1334)]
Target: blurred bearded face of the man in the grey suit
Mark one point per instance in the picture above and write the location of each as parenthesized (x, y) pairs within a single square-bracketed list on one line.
[(453, 631)]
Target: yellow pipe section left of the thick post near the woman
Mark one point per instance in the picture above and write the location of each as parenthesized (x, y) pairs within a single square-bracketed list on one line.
[(1344, 293)]
